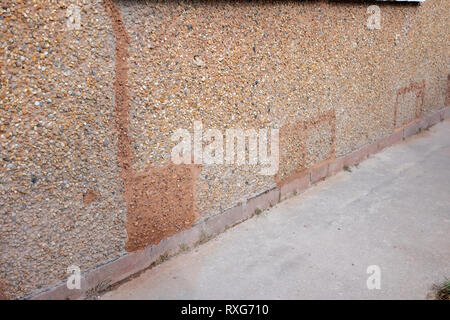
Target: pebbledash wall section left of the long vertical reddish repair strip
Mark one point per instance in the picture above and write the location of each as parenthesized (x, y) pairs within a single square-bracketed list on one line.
[(61, 197)]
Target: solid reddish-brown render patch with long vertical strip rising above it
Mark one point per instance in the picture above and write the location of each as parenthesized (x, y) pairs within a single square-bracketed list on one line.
[(160, 200)]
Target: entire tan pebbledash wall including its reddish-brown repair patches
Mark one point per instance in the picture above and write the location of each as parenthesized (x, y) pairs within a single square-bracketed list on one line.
[(87, 114)]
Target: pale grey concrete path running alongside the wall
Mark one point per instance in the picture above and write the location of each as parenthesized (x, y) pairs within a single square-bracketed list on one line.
[(392, 211)]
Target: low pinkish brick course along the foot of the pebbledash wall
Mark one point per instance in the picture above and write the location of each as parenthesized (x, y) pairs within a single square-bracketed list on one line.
[(120, 269)]
